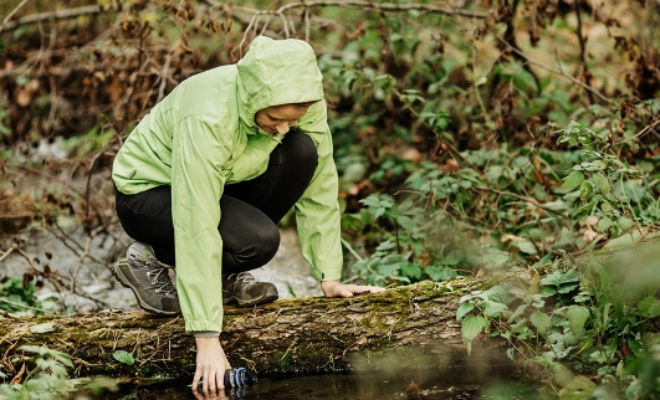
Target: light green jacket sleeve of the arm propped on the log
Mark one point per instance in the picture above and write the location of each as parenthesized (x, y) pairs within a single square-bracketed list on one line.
[(317, 210)]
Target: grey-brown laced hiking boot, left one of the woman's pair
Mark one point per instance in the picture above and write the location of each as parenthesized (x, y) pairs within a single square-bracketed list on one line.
[(148, 278)]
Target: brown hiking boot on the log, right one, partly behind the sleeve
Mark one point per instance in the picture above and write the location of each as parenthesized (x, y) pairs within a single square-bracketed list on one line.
[(243, 289)]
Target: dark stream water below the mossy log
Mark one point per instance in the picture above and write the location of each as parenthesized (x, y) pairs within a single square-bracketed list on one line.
[(400, 375)]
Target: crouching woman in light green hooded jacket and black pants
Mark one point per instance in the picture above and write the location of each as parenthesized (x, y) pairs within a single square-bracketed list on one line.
[(247, 141)]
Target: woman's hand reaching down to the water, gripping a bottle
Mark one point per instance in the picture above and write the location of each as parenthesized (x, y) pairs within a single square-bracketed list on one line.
[(211, 365)]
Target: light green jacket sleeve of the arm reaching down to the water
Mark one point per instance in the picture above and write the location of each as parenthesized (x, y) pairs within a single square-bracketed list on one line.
[(199, 160)]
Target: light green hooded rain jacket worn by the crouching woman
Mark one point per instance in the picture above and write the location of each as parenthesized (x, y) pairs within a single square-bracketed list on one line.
[(203, 136)]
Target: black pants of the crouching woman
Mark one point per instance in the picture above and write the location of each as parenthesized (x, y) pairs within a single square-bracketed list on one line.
[(249, 210)]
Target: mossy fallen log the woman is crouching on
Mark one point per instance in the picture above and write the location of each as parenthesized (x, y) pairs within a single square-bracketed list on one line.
[(294, 335)]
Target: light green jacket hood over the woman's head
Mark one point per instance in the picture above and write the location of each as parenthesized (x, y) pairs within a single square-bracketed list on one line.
[(276, 72)]
